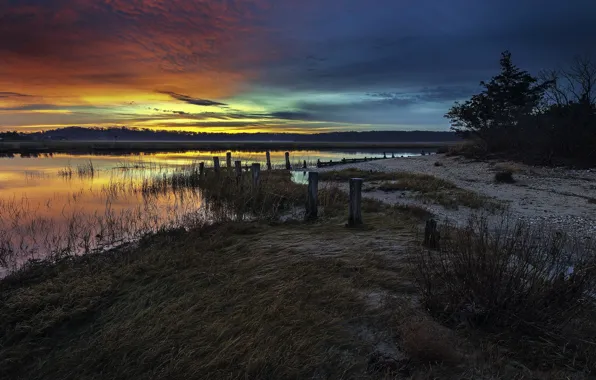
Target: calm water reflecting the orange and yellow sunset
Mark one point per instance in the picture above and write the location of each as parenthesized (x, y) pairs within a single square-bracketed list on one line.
[(65, 203)]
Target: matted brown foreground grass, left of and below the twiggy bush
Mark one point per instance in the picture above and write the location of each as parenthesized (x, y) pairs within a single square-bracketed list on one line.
[(252, 300)]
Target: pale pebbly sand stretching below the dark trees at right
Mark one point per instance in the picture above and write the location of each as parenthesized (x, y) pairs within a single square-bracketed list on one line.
[(556, 196)]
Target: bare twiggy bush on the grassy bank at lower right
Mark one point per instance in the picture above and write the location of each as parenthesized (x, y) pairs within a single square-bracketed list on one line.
[(511, 275)]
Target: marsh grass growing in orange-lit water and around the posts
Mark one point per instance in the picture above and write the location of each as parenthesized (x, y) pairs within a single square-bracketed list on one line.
[(169, 198)]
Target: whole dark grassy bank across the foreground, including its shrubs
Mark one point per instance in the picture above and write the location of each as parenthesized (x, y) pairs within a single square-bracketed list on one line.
[(278, 298)]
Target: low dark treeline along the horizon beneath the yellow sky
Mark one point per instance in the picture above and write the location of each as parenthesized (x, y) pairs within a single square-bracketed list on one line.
[(130, 134)]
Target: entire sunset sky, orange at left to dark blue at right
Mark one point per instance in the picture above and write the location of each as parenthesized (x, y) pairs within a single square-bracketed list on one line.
[(269, 65)]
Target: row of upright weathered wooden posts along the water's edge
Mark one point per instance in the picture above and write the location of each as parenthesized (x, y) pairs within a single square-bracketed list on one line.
[(312, 204)]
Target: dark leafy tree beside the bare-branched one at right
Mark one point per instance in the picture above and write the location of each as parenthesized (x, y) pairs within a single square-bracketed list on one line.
[(506, 99)]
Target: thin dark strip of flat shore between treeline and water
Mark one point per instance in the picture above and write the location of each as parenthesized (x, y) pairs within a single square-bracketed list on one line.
[(44, 147)]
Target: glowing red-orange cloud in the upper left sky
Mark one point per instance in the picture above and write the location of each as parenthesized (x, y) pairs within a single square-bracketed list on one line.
[(110, 51)]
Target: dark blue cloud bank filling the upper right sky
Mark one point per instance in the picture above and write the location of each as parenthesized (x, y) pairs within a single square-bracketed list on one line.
[(428, 43)]
